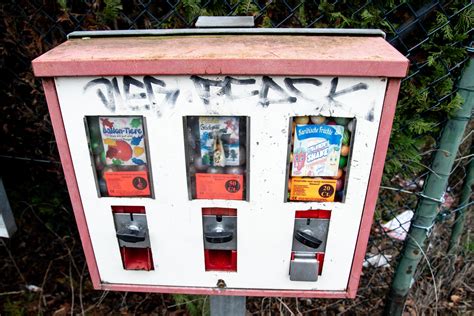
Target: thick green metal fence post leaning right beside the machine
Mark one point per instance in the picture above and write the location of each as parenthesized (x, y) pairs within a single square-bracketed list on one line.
[(431, 197)]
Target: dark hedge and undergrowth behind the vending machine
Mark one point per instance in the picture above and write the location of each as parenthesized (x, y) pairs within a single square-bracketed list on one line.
[(42, 268)]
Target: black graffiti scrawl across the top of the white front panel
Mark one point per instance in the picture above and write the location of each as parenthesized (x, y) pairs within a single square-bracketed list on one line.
[(153, 94)]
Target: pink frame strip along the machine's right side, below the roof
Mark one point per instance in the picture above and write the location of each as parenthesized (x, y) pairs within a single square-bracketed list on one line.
[(383, 138)]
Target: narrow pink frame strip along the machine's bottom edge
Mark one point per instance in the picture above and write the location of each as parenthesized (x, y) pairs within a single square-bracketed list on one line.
[(215, 291)]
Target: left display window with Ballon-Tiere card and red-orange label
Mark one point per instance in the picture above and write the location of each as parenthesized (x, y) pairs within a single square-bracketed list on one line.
[(118, 148)]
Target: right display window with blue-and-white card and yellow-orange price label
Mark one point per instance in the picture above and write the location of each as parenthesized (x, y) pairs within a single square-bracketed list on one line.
[(319, 158)]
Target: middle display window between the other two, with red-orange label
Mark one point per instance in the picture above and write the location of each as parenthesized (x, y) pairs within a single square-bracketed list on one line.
[(217, 157)]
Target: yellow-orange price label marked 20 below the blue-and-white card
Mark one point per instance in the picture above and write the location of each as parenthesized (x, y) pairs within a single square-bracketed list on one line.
[(314, 190)]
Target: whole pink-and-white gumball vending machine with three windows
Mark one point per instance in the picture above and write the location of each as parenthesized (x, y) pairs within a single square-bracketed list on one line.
[(224, 161)]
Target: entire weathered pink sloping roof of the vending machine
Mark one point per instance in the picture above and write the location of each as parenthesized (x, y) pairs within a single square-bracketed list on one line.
[(229, 55)]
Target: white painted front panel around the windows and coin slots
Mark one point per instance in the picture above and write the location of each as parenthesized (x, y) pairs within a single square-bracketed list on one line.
[(265, 222)]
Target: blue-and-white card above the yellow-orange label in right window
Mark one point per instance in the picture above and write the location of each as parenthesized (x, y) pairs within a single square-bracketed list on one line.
[(317, 150)]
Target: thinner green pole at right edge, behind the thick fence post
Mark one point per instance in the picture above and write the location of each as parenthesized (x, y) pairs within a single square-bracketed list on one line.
[(466, 194)]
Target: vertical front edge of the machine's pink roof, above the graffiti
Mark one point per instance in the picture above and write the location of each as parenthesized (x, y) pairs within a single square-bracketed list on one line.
[(286, 67)]
